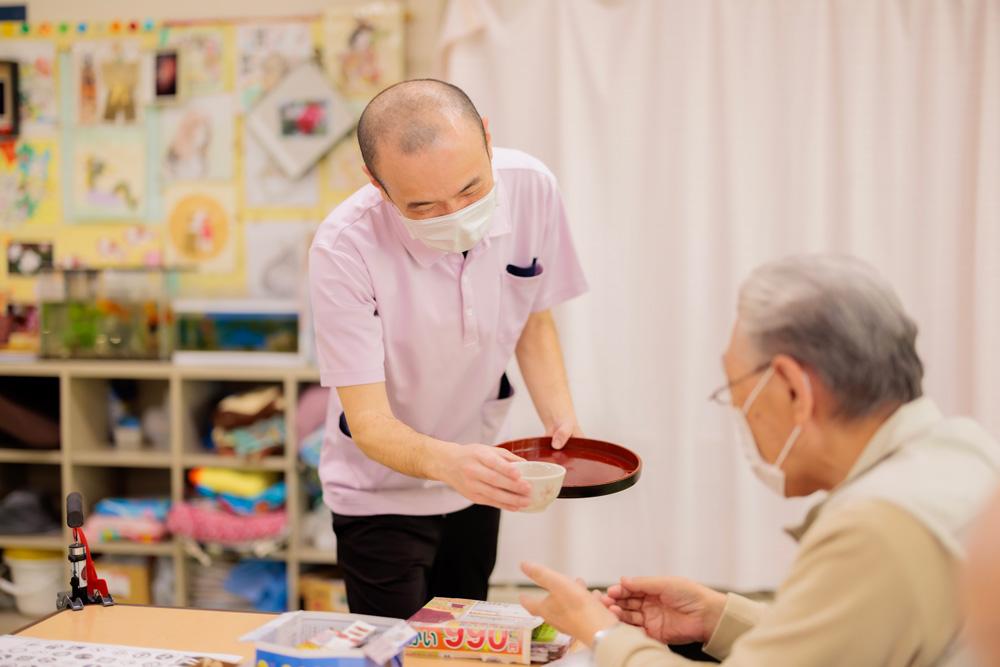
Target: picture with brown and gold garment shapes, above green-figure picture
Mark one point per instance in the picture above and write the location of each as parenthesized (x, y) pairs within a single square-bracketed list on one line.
[(111, 81)]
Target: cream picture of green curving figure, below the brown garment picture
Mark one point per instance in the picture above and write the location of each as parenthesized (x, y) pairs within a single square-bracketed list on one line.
[(109, 174)]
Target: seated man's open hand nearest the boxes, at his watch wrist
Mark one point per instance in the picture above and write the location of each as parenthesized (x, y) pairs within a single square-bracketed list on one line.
[(568, 606)]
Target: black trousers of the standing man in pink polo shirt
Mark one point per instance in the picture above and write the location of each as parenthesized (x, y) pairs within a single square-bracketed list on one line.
[(394, 564)]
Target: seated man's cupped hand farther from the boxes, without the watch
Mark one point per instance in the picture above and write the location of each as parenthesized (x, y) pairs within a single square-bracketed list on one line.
[(670, 609)]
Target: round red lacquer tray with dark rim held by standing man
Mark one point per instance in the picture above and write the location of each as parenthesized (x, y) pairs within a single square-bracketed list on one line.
[(593, 467)]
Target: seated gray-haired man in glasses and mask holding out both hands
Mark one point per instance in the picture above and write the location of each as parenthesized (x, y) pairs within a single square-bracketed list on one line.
[(824, 383)]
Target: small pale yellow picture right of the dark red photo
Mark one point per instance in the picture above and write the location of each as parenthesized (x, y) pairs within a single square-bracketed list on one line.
[(204, 55)]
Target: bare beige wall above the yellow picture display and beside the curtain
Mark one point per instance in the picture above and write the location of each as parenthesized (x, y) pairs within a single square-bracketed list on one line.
[(423, 17)]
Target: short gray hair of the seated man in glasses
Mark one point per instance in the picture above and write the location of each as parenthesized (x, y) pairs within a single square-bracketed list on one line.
[(836, 315)]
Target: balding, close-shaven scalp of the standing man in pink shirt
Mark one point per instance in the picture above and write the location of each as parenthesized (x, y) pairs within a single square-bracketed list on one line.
[(411, 116)]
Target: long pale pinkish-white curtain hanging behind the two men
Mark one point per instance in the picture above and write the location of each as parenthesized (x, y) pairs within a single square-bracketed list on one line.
[(694, 139)]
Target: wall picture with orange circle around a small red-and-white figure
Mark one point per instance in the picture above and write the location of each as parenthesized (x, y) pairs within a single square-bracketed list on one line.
[(201, 228)]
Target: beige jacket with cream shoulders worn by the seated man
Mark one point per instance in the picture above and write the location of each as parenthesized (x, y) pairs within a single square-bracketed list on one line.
[(873, 582)]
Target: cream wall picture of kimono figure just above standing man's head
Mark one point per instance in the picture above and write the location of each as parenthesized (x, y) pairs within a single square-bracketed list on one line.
[(364, 47)]
